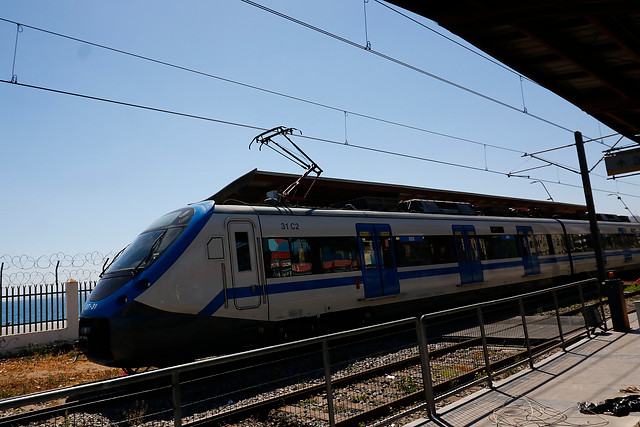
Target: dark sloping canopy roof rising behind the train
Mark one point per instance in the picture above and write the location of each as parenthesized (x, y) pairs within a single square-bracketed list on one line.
[(252, 189)]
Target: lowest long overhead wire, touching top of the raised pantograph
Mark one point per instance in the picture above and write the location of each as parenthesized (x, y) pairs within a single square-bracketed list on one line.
[(317, 139)]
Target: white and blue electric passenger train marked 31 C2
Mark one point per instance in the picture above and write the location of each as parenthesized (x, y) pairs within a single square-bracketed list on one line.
[(210, 279)]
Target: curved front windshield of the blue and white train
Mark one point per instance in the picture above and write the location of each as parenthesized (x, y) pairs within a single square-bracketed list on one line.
[(151, 243)]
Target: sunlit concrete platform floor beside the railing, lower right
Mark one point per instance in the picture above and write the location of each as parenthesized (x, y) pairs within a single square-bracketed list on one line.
[(591, 370)]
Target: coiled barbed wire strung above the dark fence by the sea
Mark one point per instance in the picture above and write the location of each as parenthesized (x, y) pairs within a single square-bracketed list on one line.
[(20, 270)]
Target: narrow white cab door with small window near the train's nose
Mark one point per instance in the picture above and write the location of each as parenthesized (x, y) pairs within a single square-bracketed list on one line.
[(245, 282)]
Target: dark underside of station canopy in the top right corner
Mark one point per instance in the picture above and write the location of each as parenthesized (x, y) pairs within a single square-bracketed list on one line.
[(586, 51)]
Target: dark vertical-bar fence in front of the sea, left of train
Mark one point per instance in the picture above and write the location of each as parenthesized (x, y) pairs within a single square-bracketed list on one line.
[(32, 308)]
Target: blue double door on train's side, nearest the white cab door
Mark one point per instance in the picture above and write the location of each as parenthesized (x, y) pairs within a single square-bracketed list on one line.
[(379, 272)]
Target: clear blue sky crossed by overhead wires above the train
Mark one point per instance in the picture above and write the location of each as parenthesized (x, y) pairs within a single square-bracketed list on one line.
[(80, 175)]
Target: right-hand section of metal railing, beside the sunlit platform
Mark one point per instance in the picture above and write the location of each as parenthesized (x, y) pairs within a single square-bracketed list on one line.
[(497, 338)]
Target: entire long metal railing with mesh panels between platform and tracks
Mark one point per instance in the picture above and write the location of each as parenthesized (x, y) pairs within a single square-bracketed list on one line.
[(344, 378)]
